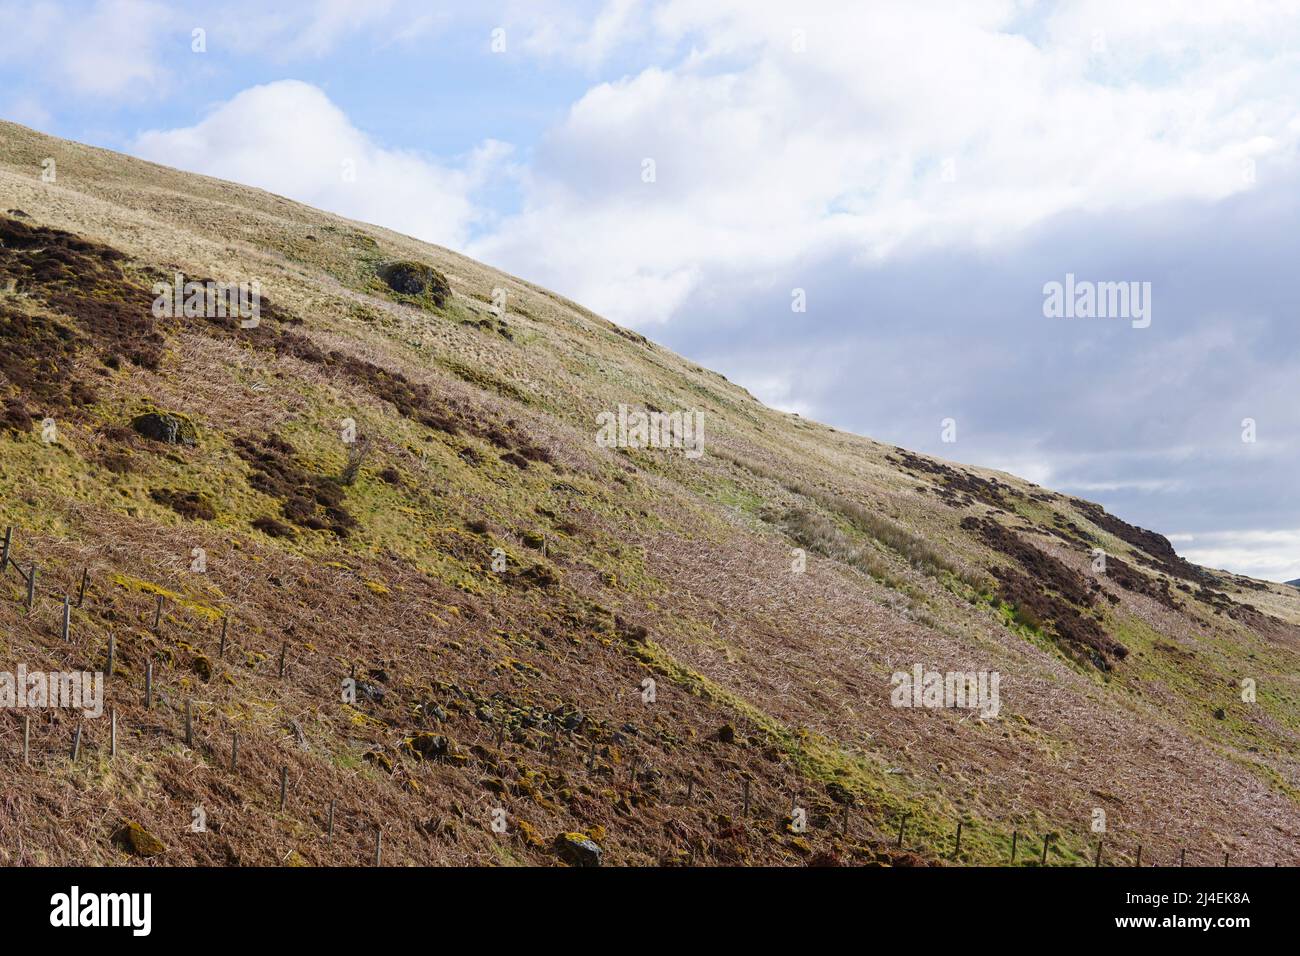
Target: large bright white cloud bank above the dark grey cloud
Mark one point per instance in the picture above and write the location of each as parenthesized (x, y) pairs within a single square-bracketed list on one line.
[(766, 155)]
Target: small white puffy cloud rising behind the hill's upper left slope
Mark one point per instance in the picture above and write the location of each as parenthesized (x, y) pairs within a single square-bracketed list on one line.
[(289, 139)]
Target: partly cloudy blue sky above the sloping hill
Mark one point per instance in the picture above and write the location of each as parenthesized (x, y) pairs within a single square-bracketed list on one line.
[(855, 210)]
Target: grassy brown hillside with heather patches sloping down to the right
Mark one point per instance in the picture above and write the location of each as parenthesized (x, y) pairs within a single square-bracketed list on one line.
[(499, 586)]
